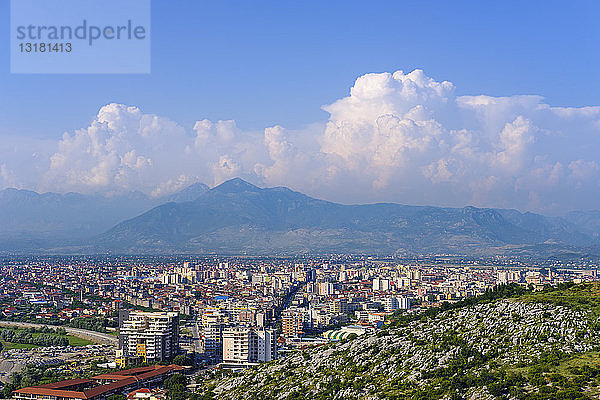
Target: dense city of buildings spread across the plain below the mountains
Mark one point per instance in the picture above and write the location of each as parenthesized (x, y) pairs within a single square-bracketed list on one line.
[(159, 327)]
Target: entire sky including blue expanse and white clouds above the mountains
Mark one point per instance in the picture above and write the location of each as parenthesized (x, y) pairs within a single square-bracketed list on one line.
[(318, 107)]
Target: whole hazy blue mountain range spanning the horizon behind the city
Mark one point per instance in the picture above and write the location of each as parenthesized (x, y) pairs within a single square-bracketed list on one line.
[(237, 217)]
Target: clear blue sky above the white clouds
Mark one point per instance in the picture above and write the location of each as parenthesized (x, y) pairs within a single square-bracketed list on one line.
[(269, 62)]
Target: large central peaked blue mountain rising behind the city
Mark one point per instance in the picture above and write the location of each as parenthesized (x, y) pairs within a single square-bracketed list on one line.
[(237, 217)]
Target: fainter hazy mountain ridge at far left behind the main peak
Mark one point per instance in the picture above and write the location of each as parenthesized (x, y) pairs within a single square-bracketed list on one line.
[(29, 220)]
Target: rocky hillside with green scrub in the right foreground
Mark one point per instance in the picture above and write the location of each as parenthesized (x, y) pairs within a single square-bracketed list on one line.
[(508, 344)]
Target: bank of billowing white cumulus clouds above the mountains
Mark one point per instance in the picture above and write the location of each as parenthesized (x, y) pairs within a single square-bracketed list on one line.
[(401, 137)]
